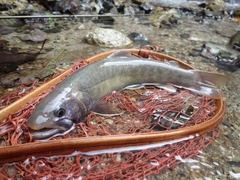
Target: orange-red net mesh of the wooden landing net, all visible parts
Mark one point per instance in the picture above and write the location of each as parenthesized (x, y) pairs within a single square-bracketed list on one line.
[(147, 109)]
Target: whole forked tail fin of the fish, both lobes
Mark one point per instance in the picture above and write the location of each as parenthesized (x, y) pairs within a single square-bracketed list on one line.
[(209, 84)]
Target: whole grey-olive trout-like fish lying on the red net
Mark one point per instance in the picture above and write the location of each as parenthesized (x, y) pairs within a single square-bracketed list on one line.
[(76, 96)]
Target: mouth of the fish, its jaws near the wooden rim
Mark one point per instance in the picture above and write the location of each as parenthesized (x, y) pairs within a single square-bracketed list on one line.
[(61, 128)]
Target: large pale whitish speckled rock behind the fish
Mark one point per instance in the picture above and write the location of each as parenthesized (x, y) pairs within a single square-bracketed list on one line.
[(107, 38)]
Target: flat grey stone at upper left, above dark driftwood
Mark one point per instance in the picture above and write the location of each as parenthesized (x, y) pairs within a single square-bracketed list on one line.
[(35, 36)]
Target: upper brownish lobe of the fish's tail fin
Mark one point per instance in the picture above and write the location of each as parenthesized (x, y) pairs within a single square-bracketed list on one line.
[(212, 79)]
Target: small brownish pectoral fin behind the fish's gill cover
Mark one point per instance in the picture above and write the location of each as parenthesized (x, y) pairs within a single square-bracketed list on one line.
[(106, 109)]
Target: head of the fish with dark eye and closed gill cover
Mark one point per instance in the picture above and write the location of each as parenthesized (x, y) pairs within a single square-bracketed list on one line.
[(58, 112)]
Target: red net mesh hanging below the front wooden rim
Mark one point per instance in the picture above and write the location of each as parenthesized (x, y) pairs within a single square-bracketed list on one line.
[(124, 165)]
